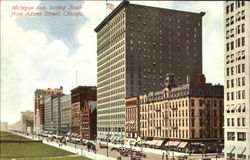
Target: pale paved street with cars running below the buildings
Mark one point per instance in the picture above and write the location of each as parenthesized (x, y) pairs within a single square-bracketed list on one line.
[(101, 154)]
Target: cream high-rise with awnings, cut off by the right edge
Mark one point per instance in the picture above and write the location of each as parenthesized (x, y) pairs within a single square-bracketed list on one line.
[(237, 60)]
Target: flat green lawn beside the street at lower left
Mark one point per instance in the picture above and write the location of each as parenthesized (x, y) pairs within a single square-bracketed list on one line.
[(17, 147)]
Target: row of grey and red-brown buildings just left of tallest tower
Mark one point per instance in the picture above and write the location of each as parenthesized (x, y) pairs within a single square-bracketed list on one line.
[(62, 114)]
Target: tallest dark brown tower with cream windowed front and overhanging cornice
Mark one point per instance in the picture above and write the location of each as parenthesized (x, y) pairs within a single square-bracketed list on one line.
[(136, 46)]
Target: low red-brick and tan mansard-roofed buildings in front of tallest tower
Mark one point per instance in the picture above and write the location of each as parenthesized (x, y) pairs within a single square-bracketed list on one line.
[(190, 114)]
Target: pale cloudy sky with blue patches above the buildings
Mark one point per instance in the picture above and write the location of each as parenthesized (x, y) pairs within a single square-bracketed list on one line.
[(45, 52)]
